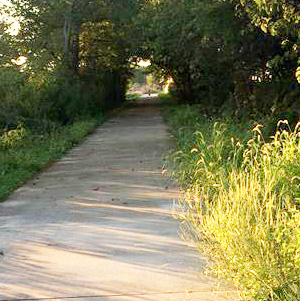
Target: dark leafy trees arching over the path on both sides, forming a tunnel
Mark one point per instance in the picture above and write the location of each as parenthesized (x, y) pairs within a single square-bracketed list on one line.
[(238, 57)]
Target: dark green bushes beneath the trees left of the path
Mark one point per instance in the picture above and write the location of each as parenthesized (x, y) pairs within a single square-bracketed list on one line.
[(55, 99)]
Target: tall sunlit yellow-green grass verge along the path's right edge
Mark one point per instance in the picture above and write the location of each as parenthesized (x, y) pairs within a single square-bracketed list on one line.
[(240, 201)]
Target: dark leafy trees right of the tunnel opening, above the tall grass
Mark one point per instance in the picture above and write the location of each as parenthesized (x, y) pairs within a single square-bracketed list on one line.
[(236, 54)]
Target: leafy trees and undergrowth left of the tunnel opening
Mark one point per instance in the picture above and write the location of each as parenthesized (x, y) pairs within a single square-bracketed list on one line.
[(77, 59)]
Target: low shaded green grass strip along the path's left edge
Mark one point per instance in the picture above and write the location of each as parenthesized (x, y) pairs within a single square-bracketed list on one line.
[(23, 154)]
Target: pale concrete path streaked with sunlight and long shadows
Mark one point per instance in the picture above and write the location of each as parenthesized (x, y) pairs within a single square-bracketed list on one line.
[(97, 225)]
